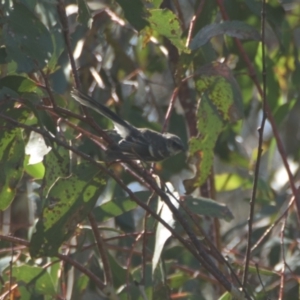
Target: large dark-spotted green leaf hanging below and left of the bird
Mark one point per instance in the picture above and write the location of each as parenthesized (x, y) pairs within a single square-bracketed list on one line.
[(70, 200)]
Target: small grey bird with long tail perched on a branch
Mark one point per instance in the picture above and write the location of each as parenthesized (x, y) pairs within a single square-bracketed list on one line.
[(135, 143)]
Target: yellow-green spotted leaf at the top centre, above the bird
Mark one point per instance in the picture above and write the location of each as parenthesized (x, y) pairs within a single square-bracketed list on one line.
[(166, 23)]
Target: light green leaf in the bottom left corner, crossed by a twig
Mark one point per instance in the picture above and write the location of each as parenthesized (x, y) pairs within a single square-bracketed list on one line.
[(38, 278)]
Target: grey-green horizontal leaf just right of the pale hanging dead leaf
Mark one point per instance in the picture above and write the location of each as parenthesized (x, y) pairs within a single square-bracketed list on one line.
[(208, 207)]
